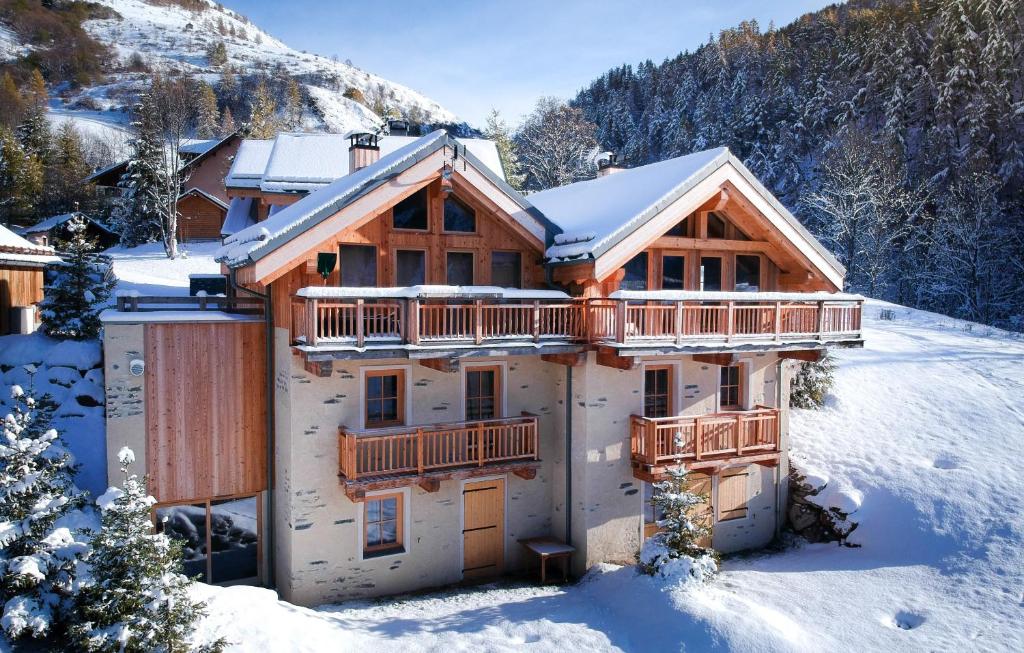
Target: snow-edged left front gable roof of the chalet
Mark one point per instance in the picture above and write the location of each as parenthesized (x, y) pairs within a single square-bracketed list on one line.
[(259, 241)]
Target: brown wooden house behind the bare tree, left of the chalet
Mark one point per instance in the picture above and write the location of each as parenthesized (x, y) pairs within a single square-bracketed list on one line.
[(203, 203)]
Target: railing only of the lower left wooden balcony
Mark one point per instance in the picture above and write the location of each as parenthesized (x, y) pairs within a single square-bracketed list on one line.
[(418, 450)]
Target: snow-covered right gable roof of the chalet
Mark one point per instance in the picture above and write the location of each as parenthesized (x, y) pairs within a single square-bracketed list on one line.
[(599, 214)]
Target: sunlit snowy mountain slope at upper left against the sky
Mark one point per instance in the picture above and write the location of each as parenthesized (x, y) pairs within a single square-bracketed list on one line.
[(174, 37)]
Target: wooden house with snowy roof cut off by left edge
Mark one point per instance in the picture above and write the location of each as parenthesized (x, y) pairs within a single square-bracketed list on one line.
[(22, 267)]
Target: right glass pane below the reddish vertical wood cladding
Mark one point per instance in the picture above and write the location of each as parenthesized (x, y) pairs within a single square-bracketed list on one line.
[(234, 538)]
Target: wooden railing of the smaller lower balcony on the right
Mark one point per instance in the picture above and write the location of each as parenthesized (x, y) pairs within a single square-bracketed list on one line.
[(660, 442)]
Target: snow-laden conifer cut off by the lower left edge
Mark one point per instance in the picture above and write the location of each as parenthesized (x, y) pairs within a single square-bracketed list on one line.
[(37, 560)]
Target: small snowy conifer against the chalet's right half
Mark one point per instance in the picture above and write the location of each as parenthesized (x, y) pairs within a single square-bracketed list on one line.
[(674, 553)]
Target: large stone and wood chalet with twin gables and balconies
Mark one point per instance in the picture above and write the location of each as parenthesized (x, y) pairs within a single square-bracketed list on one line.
[(453, 368)]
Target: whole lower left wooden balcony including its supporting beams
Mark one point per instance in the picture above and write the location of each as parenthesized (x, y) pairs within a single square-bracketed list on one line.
[(429, 454)]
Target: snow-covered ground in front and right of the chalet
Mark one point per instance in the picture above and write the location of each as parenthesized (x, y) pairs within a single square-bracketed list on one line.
[(926, 423)]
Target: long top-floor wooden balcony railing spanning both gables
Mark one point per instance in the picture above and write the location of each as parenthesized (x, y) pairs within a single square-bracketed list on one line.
[(325, 322)]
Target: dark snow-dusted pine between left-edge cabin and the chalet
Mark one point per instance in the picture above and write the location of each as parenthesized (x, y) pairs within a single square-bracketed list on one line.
[(77, 289)]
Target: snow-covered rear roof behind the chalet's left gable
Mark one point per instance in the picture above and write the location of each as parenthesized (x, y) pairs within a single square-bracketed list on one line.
[(304, 162)]
